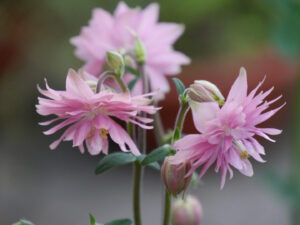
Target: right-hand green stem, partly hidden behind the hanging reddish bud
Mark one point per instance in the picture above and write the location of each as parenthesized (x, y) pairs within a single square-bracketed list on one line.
[(184, 108)]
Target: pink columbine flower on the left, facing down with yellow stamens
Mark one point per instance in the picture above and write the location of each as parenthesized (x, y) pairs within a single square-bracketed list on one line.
[(88, 115)]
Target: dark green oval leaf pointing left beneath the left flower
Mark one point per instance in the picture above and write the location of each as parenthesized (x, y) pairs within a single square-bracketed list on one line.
[(113, 160)]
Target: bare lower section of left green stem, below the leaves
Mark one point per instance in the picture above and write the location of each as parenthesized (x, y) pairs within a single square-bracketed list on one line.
[(136, 193)]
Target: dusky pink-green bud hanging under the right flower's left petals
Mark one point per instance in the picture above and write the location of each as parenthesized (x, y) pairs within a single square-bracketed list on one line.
[(174, 176)]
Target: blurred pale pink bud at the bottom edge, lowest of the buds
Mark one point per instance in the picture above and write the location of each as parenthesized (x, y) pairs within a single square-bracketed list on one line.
[(187, 212)]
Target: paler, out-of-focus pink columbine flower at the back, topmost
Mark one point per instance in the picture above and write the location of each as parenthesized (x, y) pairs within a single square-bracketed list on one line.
[(107, 32)]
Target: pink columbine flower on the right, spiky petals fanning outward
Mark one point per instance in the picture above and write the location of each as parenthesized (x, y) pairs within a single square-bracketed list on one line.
[(228, 133)]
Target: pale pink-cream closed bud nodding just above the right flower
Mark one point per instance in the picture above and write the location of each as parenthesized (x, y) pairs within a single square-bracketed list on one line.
[(205, 91)]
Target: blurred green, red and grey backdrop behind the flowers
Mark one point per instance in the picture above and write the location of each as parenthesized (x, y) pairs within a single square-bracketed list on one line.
[(59, 187)]
